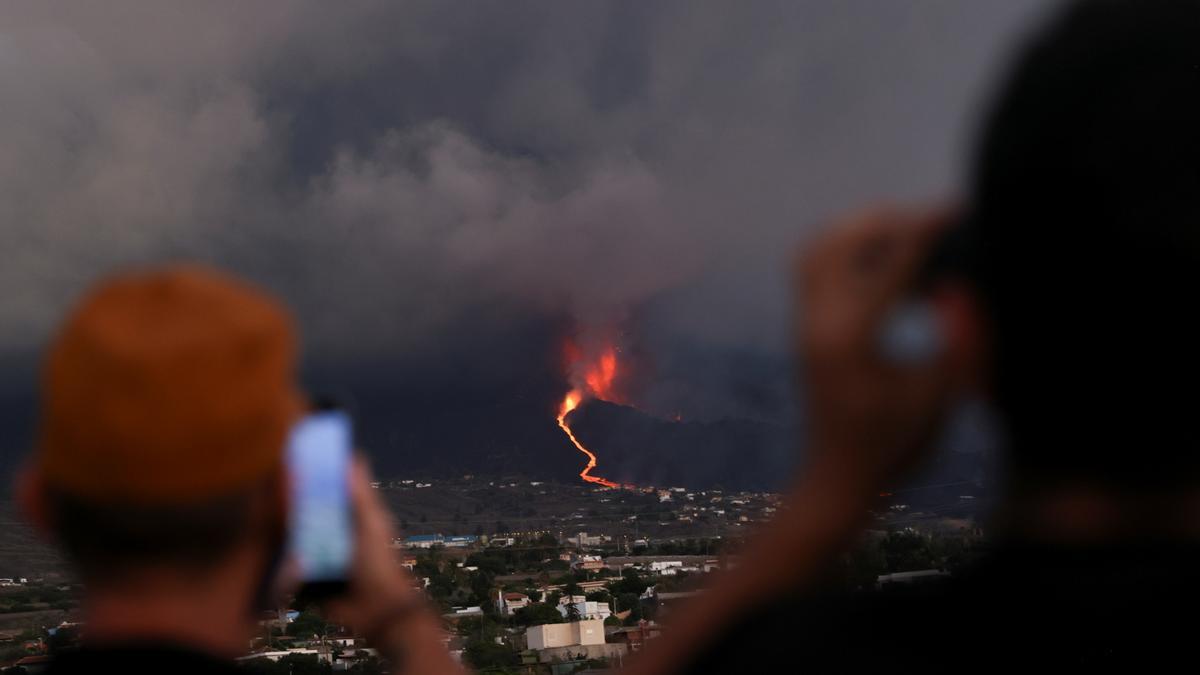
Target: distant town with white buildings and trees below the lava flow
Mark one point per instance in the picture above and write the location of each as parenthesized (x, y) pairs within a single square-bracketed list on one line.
[(530, 576)]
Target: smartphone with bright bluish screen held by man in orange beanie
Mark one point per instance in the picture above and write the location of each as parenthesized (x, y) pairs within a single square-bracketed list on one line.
[(321, 537)]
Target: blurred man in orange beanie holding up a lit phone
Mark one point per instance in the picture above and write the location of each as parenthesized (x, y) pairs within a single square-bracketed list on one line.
[(166, 401)]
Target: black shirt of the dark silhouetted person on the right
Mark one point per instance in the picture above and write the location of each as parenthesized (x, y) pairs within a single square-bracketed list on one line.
[(1025, 607)]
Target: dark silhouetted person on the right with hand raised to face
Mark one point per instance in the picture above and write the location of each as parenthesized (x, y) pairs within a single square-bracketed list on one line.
[(1063, 290)]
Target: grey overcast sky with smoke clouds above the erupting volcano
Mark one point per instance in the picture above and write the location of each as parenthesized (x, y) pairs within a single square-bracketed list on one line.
[(429, 184)]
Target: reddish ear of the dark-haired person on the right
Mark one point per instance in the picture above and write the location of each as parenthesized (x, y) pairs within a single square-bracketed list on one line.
[(967, 332)]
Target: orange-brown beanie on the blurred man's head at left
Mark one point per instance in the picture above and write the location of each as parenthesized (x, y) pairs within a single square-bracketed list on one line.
[(169, 386)]
